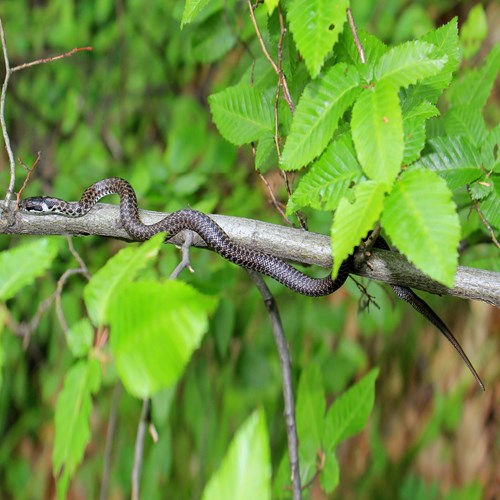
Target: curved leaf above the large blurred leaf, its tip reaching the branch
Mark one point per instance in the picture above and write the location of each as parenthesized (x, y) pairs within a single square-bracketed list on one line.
[(119, 270)]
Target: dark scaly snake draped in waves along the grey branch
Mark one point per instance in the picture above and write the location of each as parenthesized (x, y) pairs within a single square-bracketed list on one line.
[(220, 242)]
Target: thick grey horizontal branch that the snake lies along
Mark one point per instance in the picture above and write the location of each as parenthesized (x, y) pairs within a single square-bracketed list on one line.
[(285, 242)]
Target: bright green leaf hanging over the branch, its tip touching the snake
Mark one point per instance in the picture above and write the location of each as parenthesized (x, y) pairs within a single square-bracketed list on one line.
[(352, 221)]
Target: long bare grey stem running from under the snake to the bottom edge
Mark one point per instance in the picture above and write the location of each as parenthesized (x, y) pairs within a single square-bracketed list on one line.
[(286, 374)]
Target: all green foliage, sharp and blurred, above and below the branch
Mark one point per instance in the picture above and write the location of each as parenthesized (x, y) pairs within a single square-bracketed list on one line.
[(180, 99)]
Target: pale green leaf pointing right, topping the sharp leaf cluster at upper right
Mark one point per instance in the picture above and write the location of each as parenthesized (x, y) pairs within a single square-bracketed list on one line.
[(409, 63)]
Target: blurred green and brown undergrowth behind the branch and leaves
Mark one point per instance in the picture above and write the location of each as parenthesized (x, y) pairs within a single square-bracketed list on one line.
[(136, 107)]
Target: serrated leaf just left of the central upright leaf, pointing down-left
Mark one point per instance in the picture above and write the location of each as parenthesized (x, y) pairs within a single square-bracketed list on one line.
[(316, 118)]
